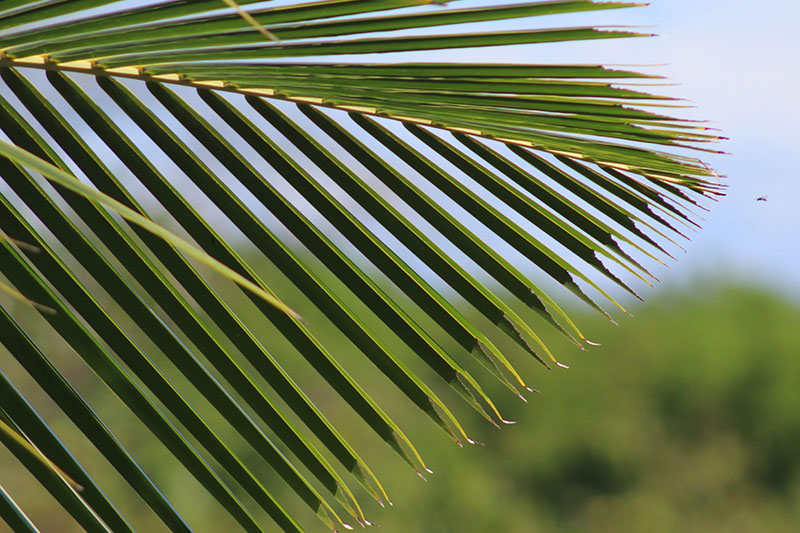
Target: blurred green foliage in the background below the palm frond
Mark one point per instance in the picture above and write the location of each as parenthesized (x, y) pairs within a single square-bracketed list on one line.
[(686, 419)]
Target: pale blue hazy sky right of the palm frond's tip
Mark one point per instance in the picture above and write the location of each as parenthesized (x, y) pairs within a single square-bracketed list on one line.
[(738, 61)]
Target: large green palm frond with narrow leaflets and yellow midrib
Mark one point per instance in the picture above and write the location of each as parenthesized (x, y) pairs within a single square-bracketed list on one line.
[(572, 169)]
